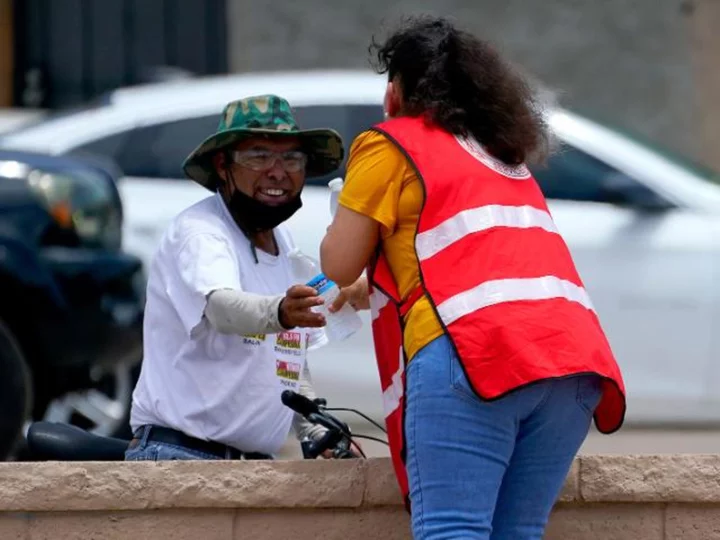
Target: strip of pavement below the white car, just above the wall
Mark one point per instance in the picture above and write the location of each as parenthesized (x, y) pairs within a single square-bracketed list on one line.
[(626, 441)]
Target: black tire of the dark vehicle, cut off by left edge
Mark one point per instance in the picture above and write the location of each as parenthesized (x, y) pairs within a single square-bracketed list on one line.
[(15, 393)]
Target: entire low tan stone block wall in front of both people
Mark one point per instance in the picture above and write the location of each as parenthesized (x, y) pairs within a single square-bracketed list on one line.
[(618, 497)]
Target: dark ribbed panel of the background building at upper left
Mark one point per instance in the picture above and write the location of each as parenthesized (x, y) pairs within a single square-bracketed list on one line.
[(67, 52)]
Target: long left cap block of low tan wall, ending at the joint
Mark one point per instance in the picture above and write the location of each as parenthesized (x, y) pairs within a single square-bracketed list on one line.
[(65, 486)]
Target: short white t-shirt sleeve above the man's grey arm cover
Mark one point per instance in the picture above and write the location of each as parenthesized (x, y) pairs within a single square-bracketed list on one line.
[(203, 263)]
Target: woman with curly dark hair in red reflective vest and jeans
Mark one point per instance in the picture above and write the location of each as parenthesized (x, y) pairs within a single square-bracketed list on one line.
[(492, 359)]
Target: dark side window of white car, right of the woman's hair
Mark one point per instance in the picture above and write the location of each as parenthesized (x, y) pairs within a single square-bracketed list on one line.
[(573, 175)]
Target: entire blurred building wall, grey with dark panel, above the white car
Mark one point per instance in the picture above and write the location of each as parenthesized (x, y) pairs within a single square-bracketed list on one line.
[(650, 66)]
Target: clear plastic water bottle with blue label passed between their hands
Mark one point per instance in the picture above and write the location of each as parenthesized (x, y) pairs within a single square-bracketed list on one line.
[(344, 322)]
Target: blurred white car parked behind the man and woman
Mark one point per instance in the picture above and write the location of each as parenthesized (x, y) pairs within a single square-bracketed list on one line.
[(643, 228)]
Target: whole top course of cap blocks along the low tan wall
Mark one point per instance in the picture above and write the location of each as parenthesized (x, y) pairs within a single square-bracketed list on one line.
[(93, 486)]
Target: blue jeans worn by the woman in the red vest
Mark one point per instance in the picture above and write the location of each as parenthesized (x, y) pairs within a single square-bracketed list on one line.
[(488, 469)]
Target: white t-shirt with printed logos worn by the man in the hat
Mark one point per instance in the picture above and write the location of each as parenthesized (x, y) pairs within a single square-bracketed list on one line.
[(213, 386)]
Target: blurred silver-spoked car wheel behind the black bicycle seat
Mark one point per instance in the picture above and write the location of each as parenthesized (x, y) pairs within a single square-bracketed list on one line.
[(104, 409)]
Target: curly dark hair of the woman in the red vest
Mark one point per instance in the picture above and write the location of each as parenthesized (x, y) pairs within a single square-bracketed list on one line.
[(463, 86)]
